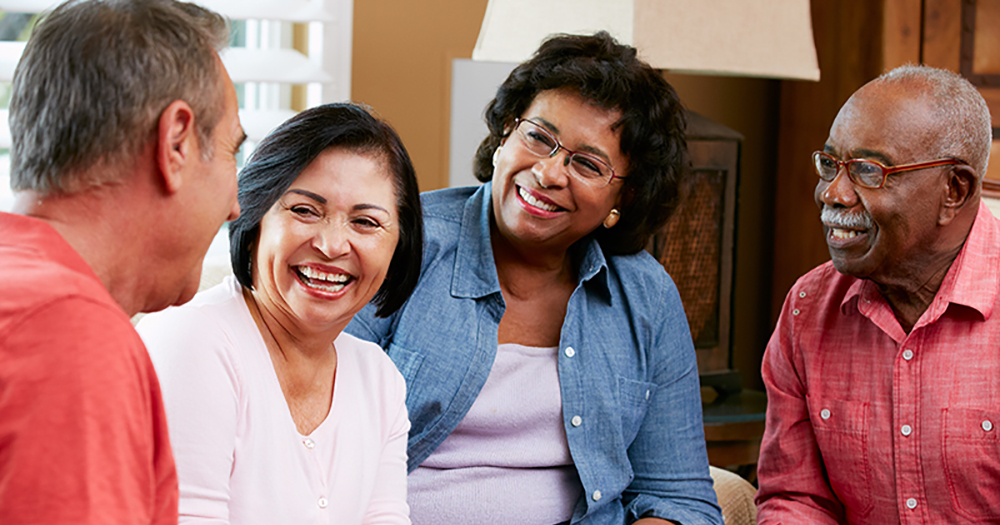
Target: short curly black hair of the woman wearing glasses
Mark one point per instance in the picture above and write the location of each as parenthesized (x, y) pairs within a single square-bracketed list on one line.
[(609, 75)]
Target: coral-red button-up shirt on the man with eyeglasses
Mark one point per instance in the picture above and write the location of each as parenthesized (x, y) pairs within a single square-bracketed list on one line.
[(868, 424)]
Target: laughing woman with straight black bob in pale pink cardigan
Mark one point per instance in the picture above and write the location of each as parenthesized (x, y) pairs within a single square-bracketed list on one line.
[(276, 414)]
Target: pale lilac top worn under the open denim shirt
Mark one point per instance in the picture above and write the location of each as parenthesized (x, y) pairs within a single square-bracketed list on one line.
[(508, 461)]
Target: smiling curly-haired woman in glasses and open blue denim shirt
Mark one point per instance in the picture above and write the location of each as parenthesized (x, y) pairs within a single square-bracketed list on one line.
[(550, 372)]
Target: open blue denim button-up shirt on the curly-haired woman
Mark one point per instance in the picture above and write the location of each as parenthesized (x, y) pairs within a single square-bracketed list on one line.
[(627, 370)]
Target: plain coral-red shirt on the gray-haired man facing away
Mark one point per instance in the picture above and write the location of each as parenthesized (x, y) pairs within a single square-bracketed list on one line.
[(83, 436)]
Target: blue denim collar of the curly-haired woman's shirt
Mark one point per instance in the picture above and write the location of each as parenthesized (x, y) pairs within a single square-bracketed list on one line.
[(475, 274)]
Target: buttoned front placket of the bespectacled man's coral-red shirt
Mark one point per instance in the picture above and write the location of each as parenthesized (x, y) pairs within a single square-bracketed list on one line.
[(907, 430)]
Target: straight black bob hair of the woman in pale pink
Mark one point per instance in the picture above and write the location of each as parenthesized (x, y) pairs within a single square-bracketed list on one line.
[(281, 157)]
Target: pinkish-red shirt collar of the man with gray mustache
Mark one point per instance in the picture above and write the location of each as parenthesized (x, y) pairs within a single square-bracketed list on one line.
[(970, 280)]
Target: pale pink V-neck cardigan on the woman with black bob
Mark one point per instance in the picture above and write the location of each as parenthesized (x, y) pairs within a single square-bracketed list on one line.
[(239, 456)]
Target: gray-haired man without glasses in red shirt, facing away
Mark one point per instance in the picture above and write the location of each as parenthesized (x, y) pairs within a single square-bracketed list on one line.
[(125, 132)]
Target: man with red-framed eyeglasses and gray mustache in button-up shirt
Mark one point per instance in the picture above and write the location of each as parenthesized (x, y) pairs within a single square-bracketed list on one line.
[(883, 374)]
